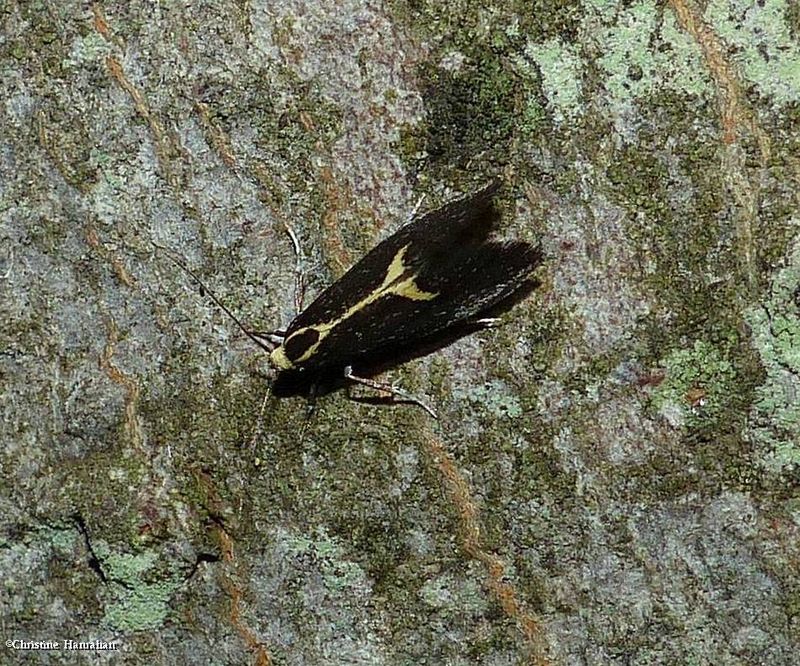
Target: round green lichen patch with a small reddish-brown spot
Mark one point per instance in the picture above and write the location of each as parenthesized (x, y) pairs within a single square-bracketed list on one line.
[(697, 386)]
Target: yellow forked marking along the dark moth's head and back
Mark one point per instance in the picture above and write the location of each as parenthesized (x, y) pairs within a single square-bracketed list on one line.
[(392, 284)]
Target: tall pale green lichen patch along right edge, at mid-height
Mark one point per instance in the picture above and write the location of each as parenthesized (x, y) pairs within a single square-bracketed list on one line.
[(775, 418)]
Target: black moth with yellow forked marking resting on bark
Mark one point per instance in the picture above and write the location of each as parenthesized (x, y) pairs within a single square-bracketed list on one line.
[(437, 278)]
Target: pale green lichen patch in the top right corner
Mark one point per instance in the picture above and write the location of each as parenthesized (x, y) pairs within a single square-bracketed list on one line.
[(766, 52)]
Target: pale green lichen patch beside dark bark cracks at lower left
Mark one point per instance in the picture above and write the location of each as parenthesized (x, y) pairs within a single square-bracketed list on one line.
[(134, 603)]
